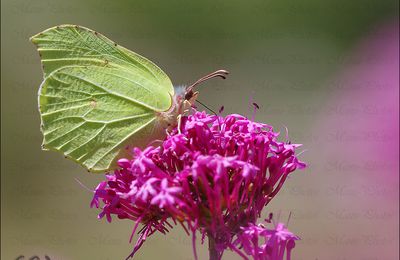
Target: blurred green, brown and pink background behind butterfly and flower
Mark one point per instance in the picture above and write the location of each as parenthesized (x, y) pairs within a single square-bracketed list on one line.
[(328, 70)]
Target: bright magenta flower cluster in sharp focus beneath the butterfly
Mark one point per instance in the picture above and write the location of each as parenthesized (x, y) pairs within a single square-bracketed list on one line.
[(213, 175)]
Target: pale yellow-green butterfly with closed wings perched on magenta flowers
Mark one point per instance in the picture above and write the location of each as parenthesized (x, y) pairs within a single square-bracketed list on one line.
[(98, 97)]
